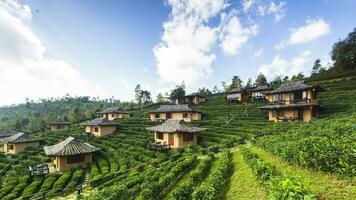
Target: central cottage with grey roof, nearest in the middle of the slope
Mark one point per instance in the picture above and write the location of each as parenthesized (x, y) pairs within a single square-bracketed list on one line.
[(175, 134)]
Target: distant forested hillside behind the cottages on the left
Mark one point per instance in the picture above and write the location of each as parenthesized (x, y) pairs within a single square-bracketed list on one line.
[(34, 115)]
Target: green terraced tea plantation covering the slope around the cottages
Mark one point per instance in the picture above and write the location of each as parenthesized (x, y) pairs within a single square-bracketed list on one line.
[(240, 156)]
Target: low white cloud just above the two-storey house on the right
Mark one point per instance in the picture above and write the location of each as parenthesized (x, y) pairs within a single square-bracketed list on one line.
[(280, 66)]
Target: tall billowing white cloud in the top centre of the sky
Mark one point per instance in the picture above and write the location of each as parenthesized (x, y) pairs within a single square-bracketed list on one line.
[(185, 52)]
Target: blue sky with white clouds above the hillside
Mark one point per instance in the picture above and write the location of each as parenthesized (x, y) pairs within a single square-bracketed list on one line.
[(105, 48)]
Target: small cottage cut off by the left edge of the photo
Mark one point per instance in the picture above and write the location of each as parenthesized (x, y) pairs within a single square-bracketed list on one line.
[(18, 143)]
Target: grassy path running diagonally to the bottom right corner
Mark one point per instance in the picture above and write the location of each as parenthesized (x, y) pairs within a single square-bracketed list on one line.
[(327, 186)]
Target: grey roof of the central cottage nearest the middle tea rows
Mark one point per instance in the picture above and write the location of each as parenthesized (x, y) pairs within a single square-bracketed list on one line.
[(171, 125)]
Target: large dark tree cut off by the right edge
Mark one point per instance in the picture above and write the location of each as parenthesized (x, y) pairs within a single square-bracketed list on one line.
[(344, 53)]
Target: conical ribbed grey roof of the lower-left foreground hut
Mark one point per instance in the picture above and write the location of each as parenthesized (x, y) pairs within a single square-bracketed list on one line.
[(70, 146)]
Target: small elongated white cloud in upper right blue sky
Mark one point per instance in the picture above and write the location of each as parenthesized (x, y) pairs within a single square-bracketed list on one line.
[(313, 30)]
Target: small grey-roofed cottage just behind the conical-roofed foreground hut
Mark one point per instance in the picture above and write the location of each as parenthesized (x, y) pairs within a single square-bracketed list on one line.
[(100, 127)]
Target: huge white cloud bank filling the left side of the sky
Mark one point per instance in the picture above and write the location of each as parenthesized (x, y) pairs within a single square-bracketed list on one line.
[(25, 71)]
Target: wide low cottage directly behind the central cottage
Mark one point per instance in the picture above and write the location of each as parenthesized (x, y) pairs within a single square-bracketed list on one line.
[(176, 112)]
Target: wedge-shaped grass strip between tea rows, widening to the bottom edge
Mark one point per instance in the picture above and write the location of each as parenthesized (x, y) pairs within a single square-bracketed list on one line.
[(243, 184)]
